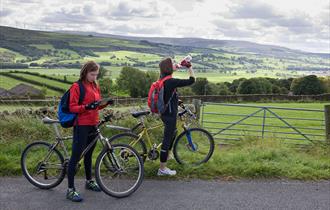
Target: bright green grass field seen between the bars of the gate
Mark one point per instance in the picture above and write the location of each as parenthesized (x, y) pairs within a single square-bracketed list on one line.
[(211, 120)]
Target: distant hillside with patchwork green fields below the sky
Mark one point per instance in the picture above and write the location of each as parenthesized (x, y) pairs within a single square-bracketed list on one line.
[(21, 48)]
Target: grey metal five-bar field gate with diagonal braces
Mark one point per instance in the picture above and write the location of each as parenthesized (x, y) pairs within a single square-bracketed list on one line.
[(233, 122)]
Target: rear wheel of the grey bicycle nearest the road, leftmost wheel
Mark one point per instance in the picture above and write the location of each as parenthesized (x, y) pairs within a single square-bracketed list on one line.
[(41, 166)]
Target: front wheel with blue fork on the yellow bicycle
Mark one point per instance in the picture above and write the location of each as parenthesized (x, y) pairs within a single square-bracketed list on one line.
[(193, 147)]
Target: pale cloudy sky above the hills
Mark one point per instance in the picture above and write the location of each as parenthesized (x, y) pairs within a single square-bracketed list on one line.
[(296, 24)]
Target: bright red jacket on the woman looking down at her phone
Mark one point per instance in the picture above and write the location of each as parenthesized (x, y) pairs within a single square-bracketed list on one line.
[(92, 93)]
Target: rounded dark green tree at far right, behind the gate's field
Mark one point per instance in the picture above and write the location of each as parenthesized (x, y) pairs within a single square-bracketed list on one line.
[(308, 85)]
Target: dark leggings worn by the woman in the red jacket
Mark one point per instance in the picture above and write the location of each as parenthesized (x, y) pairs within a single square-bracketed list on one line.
[(81, 139)]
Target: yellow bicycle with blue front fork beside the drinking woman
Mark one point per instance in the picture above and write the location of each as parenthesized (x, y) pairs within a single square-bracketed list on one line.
[(193, 146)]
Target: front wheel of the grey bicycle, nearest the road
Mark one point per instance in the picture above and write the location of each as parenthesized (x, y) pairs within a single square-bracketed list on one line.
[(126, 173)]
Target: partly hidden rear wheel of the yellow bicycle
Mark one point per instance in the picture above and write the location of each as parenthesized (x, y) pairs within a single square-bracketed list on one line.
[(128, 139)]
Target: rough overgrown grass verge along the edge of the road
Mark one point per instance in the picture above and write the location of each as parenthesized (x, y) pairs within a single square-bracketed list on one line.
[(249, 158)]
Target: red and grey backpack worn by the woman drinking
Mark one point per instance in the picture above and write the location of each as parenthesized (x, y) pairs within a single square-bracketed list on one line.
[(156, 101)]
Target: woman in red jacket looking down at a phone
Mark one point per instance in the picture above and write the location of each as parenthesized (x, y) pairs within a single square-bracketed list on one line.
[(88, 118)]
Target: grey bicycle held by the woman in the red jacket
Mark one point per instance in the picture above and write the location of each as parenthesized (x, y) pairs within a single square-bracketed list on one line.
[(44, 166)]
